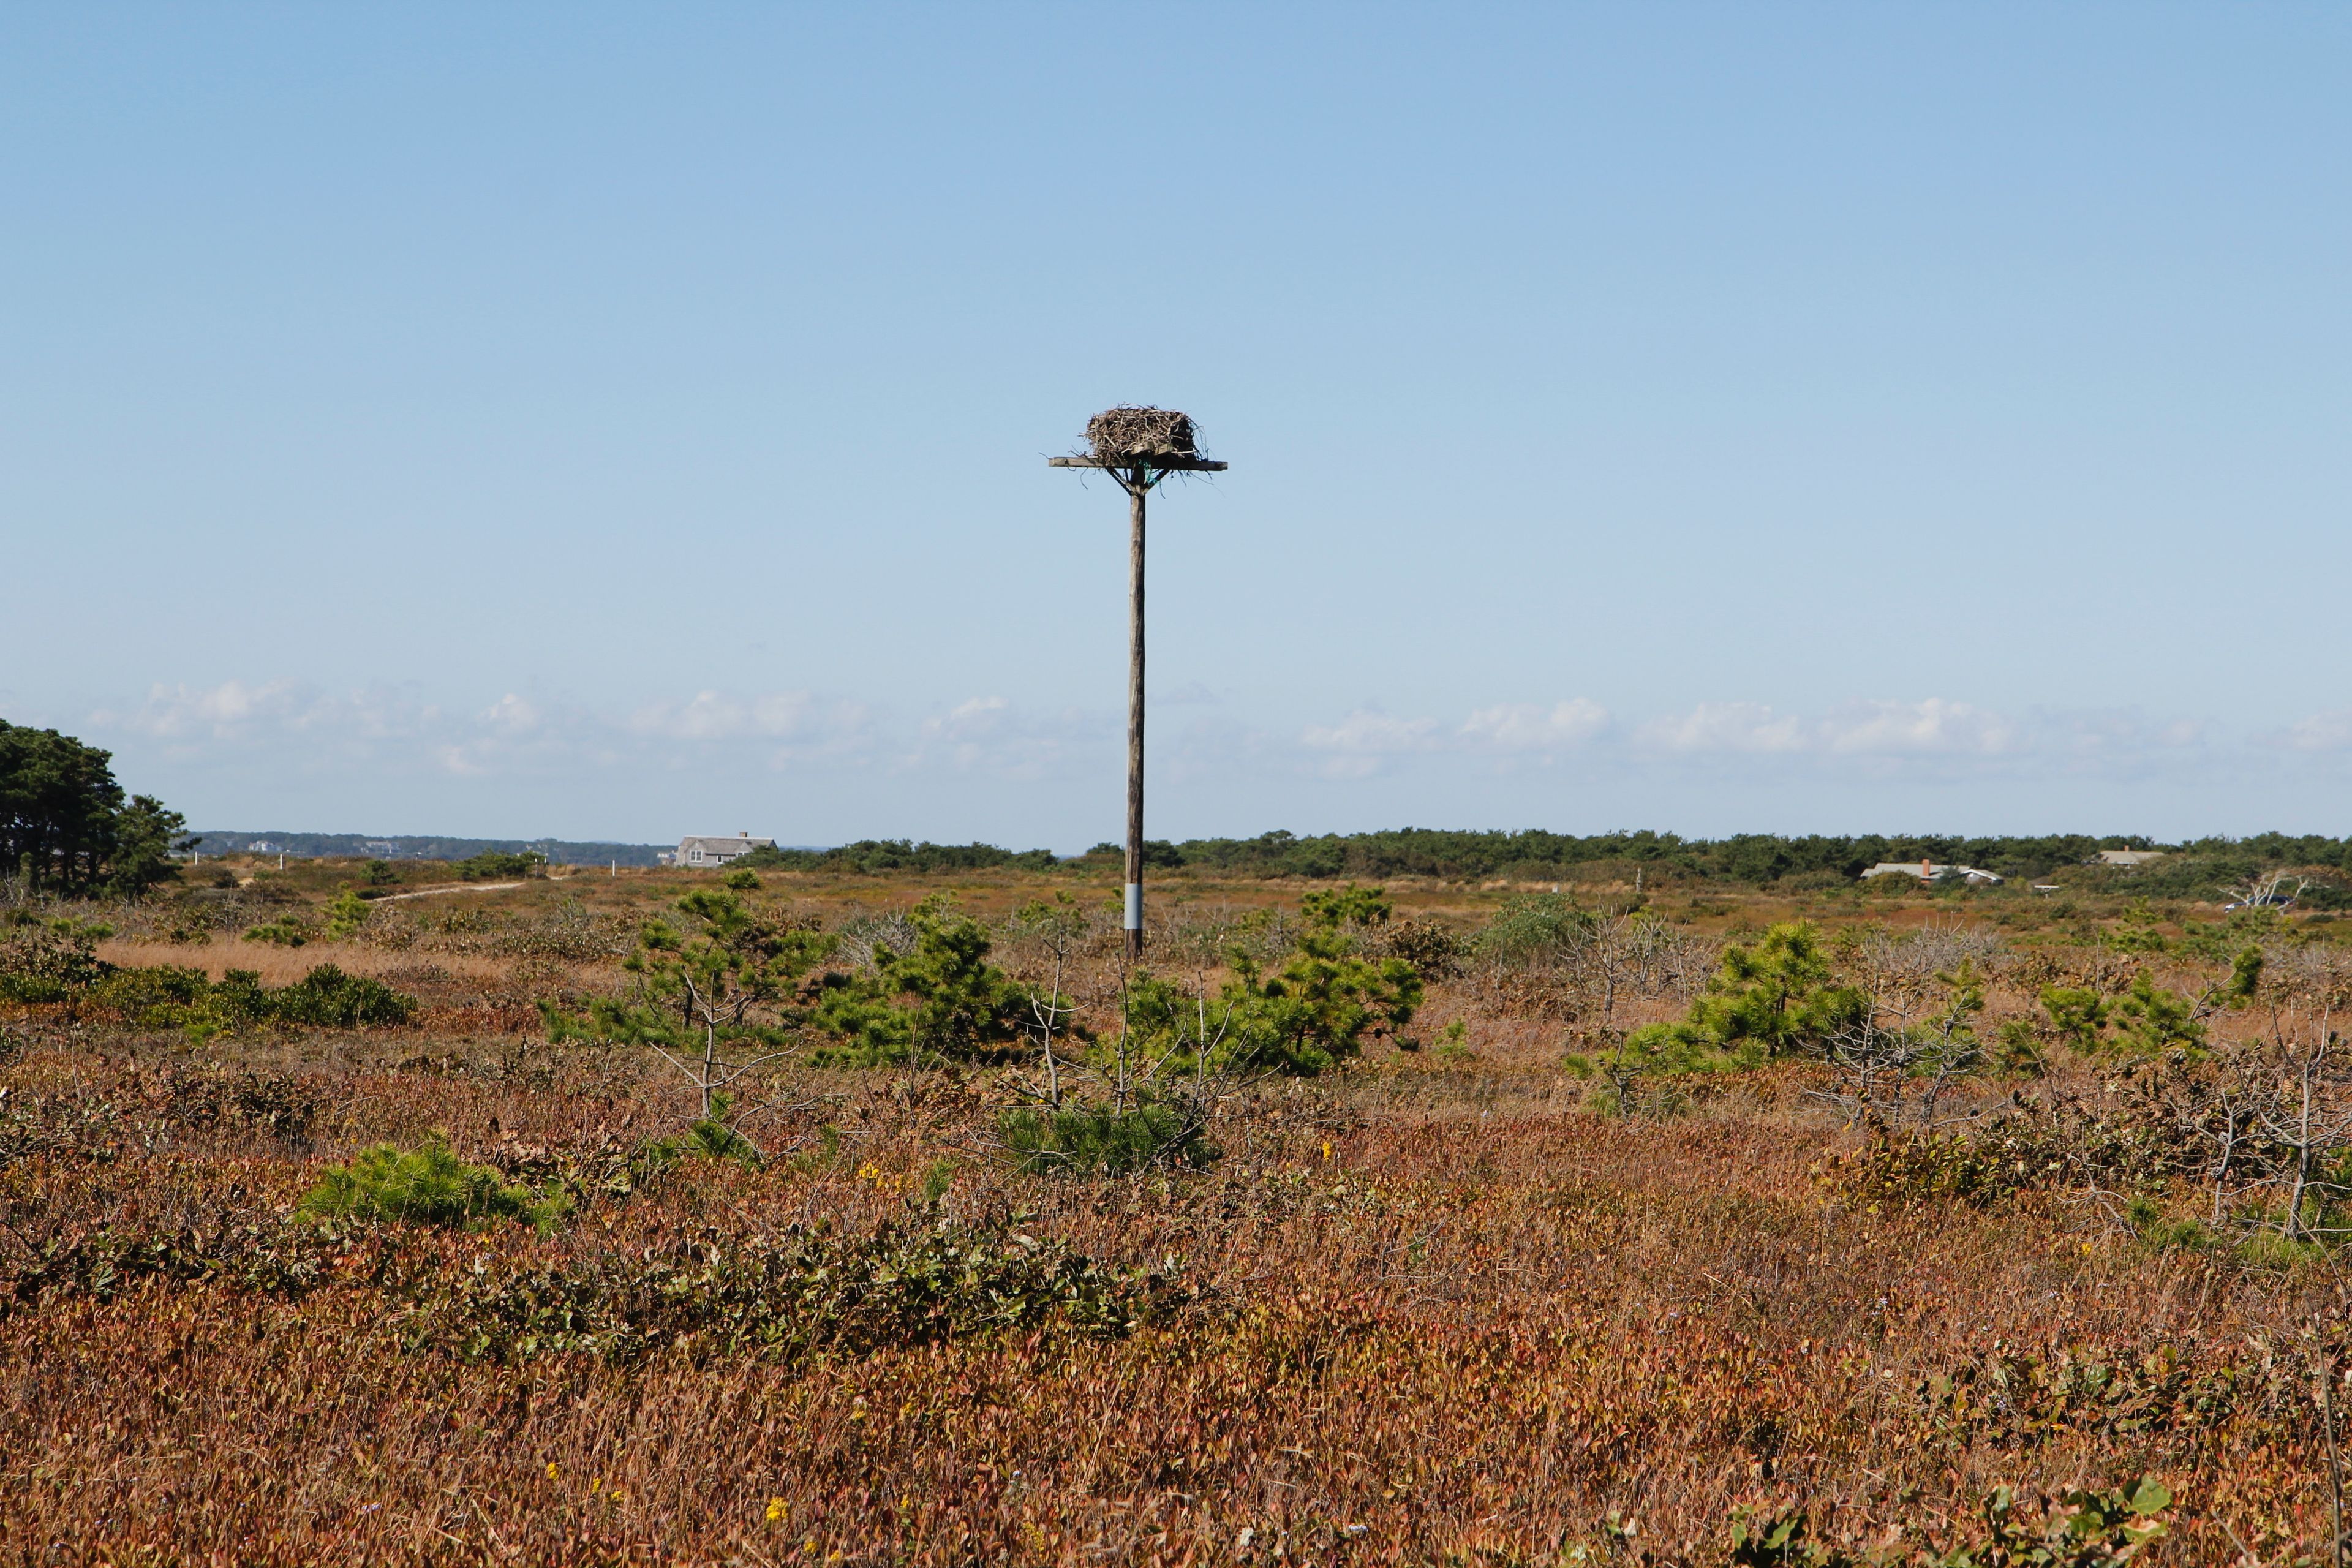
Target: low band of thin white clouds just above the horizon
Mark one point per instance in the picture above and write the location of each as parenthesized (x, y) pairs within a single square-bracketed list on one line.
[(295, 728)]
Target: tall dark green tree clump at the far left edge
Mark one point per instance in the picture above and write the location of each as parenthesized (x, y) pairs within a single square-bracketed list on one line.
[(67, 826)]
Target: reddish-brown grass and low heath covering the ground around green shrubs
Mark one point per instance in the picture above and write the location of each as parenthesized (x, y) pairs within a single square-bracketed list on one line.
[(1436, 1308)]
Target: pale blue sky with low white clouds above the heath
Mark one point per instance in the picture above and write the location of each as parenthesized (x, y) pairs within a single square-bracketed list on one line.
[(629, 422)]
